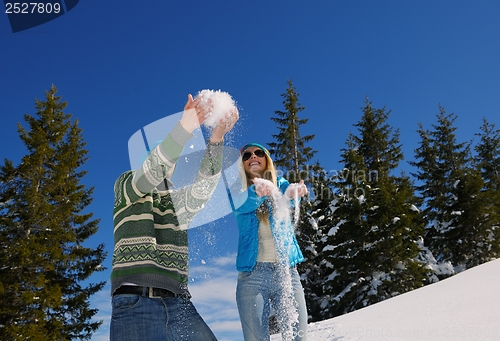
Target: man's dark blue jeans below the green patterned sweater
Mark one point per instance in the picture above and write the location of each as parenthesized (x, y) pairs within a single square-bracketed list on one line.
[(136, 317)]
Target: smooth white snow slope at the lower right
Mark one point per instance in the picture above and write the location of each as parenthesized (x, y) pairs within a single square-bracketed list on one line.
[(463, 307)]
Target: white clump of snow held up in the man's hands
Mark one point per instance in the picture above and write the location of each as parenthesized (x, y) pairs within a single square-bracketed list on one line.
[(221, 103)]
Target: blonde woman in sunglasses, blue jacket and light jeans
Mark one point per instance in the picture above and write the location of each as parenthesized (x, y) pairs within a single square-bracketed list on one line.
[(267, 250)]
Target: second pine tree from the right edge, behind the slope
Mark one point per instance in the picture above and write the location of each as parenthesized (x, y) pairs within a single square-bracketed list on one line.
[(450, 188)]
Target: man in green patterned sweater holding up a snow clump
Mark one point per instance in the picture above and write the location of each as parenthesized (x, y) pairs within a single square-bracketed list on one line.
[(150, 298)]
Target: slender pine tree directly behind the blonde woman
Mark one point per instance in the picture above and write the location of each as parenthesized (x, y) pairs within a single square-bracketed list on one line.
[(292, 155)]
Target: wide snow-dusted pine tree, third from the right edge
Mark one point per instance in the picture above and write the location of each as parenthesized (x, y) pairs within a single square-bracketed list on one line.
[(373, 250)]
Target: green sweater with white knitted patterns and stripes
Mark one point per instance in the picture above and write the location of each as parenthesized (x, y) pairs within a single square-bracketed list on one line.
[(150, 224)]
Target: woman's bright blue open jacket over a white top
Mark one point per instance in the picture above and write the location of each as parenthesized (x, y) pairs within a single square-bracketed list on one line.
[(245, 211)]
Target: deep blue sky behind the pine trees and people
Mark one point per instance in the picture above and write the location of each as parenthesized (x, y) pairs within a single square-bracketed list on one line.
[(122, 65)]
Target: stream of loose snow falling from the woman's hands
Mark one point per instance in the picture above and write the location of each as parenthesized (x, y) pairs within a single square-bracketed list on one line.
[(286, 314)]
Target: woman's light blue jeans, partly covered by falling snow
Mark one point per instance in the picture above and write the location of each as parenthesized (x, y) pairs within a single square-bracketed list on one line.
[(264, 287)]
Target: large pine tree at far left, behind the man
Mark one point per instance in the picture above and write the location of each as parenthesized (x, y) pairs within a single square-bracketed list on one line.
[(42, 230)]
